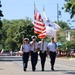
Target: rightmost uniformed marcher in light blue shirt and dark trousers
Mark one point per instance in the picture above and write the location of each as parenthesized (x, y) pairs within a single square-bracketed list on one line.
[(52, 47)]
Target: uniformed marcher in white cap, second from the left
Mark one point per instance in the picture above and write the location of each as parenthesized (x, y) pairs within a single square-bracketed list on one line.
[(34, 54)]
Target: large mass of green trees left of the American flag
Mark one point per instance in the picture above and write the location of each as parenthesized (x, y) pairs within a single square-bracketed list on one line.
[(12, 31)]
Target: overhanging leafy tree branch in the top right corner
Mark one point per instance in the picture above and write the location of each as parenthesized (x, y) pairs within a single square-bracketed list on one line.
[(70, 7)]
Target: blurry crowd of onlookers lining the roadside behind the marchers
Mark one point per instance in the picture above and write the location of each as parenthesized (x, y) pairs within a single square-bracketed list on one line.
[(61, 53)]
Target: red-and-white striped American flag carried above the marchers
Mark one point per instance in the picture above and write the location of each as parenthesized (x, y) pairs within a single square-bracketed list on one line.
[(38, 23)]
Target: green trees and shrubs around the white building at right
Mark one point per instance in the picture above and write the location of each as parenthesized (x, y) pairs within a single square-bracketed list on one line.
[(61, 37)]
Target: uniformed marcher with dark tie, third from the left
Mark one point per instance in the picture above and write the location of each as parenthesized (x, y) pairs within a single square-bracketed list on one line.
[(43, 52)]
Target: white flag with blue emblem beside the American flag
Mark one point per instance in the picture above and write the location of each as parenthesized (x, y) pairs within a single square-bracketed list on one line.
[(51, 28)]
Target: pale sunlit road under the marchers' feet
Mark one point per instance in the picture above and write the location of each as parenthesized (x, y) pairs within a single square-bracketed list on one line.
[(62, 67)]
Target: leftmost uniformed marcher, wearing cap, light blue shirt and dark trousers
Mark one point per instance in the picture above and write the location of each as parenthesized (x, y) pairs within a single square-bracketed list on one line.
[(25, 53)]
